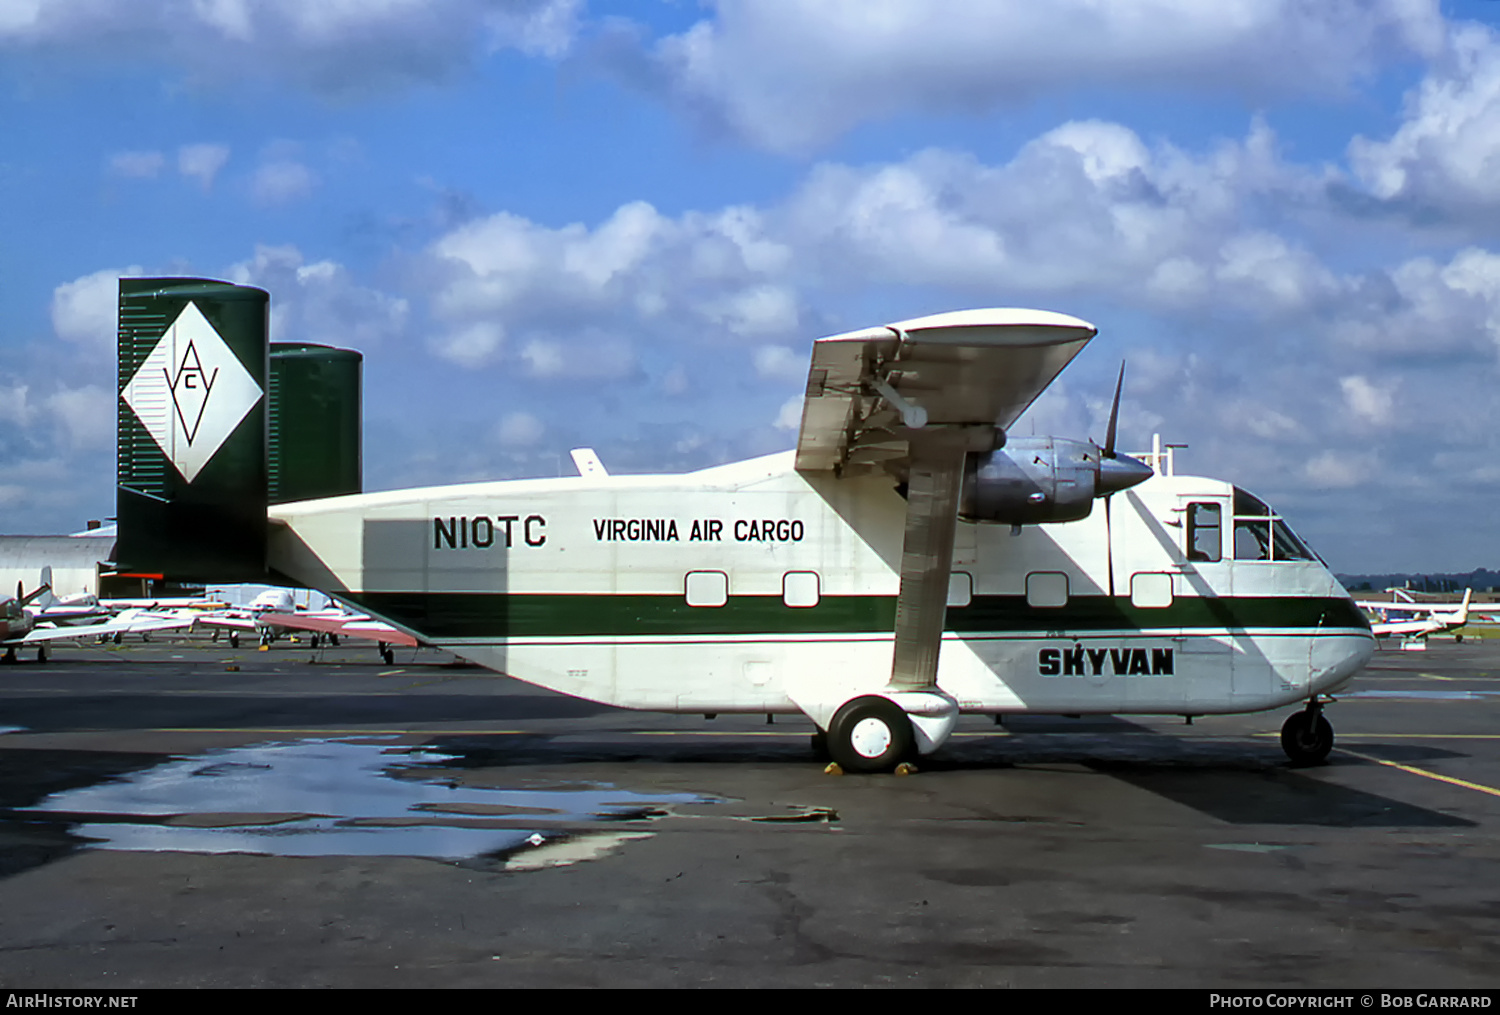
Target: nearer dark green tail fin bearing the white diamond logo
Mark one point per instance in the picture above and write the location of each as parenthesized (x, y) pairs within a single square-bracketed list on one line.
[(193, 479)]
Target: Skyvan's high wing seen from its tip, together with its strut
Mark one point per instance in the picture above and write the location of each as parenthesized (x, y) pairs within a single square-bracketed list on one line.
[(914, 400)]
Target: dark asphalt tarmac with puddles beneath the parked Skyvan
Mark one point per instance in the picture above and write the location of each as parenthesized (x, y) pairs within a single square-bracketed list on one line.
[(187, 815)]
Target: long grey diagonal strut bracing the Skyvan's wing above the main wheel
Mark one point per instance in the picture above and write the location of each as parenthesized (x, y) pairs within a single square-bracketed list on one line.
[(932, 518)]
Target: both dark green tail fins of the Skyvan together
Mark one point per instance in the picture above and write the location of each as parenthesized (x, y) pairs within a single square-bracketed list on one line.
[(215, 424)]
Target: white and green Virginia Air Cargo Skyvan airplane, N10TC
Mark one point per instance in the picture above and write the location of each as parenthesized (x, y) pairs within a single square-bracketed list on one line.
[(910, 561)]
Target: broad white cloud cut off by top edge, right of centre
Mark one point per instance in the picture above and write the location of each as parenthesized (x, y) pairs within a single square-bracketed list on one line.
[(793, 76)]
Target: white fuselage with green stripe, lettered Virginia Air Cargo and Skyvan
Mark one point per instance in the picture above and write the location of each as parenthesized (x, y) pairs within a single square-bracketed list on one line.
[(739, 588)]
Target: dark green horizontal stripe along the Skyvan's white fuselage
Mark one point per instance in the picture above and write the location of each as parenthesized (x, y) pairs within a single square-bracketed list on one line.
[(500, 615)]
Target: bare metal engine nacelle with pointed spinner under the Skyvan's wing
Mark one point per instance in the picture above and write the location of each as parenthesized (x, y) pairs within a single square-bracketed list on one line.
[(1043, 479)]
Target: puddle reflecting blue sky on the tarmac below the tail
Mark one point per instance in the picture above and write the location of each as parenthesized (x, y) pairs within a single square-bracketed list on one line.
[(335, 798)]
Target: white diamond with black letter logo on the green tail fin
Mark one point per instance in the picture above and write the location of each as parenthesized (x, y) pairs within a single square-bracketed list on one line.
[(191, 392)]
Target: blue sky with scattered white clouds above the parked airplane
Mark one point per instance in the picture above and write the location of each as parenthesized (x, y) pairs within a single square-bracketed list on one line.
[(556, 223)]
